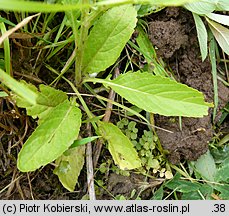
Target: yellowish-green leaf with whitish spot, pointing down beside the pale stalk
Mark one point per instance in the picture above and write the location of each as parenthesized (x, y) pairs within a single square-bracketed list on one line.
[(69, 166)]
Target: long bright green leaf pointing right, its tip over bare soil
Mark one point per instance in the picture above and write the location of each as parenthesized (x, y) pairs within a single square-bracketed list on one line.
[(159, 94)]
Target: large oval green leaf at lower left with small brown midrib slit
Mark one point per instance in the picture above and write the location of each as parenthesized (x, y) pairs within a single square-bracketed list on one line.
[(51, 138)]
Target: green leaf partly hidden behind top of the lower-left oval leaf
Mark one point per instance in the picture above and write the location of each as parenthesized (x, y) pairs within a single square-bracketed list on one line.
[(47, 99)]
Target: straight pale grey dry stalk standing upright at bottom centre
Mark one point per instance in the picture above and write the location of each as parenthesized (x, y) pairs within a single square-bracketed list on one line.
[(90, 171)]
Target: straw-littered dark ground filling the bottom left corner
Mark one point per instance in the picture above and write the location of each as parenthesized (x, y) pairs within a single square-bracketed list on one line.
[(15, 127)]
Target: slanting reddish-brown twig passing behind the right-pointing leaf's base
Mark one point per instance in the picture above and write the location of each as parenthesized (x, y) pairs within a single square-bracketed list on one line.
[(106, 118)]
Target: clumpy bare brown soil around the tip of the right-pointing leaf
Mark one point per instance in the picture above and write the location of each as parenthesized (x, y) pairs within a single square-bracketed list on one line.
[(174, 35)]
